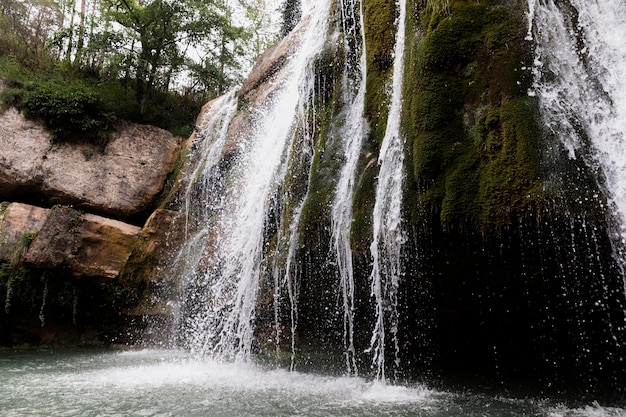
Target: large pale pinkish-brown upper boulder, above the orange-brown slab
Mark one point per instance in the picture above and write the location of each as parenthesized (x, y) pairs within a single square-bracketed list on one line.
[(122, 180)]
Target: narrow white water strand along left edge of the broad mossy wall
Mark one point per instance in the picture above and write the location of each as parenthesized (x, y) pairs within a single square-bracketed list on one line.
[(389, 236)]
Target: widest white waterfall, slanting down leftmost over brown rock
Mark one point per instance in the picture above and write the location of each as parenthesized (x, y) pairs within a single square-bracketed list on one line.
[(231, 200)]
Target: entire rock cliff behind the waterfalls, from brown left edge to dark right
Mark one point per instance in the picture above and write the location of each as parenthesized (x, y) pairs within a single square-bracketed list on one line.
[(507, 239)]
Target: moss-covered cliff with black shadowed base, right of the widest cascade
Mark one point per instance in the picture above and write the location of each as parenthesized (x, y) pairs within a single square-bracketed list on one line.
[(498, 246)]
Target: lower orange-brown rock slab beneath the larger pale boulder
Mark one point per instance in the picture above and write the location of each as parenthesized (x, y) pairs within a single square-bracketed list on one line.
[(89, 245)]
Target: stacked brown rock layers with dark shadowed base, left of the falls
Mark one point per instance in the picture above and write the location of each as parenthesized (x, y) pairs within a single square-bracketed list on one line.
[(72, 221)]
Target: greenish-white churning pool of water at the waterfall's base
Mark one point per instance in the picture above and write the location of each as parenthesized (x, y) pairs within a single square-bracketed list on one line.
[(170, 383)]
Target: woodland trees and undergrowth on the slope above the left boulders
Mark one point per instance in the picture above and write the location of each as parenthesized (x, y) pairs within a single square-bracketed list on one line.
[(149, 61)]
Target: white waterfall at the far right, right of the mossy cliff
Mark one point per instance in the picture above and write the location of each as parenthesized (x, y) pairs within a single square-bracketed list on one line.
[(580, 80)]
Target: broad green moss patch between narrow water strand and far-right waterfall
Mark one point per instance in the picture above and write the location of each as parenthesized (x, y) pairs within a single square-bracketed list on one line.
[(471, 129)]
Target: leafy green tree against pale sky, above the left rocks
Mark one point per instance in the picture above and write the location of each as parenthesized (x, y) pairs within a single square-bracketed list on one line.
[(165, 33)]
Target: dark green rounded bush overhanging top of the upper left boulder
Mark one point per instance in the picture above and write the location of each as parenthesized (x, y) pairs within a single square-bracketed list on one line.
[(67, 110)]
